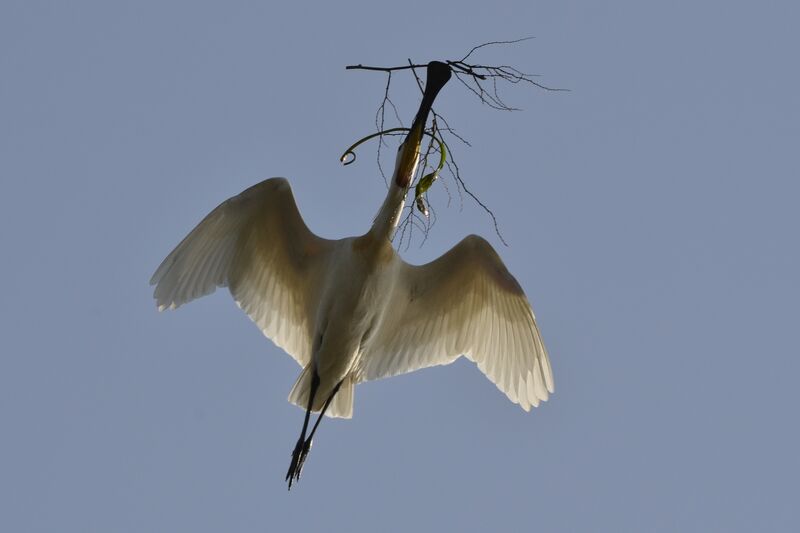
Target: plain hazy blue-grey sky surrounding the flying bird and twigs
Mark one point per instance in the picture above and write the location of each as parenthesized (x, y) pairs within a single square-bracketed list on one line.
[(652, 219)]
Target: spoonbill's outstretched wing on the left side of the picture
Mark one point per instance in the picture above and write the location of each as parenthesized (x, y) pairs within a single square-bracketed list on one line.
[(257, 245)]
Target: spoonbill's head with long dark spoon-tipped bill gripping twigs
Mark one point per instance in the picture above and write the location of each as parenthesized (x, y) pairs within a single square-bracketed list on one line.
[(409, 150)]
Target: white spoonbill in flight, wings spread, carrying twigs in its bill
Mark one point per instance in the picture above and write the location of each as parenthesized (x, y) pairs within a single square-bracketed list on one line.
[(351, 310)]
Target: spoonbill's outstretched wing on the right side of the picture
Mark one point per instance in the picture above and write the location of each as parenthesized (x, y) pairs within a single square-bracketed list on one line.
[(465, 302)]
